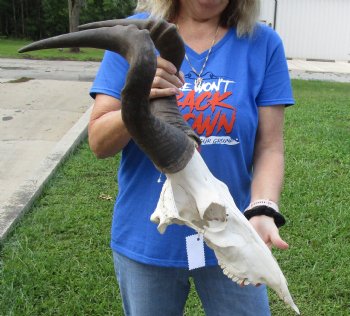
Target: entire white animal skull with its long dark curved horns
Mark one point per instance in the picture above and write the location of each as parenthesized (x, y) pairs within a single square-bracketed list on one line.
[(191, 195)]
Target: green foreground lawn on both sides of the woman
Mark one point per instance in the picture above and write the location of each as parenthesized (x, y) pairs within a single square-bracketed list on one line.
[(57, 261)]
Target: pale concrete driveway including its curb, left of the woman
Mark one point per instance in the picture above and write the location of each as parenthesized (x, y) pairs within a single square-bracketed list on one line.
[(40, 122)]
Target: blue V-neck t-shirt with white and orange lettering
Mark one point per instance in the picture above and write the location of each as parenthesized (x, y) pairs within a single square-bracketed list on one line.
[(241, 74)]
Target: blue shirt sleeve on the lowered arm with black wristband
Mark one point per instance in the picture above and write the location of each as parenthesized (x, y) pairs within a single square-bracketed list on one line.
[(276, 87)]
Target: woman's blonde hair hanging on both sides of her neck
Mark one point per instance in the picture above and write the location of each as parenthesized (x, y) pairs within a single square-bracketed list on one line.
[(241, 14)]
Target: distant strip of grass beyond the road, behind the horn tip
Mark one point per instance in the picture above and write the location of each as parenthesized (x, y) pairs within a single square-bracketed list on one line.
[(9, 48)]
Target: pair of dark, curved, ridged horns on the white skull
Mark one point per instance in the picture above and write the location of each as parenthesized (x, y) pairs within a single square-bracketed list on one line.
[(156, 125)]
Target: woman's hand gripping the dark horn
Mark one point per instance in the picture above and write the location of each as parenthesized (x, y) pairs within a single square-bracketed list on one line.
[(166, 82)]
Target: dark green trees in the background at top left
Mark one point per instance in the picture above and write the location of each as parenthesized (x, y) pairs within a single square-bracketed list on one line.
[(35, 19)]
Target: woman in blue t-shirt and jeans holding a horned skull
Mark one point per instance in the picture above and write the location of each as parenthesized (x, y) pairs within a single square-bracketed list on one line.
[(233, 92)]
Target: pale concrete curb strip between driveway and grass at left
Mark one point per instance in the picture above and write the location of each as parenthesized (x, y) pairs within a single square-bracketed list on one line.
[(21, 200)]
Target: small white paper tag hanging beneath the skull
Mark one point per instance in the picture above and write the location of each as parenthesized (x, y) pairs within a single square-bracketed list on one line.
[(195, 251)]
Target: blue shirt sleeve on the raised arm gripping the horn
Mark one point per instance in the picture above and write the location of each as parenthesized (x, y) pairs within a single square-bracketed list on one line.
[(110, 78)]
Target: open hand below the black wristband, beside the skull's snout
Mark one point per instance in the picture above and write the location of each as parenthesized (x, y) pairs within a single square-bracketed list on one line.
[(268, 231)]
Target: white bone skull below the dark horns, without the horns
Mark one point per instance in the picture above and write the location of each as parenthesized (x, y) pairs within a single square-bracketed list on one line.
[(194, 197)]
